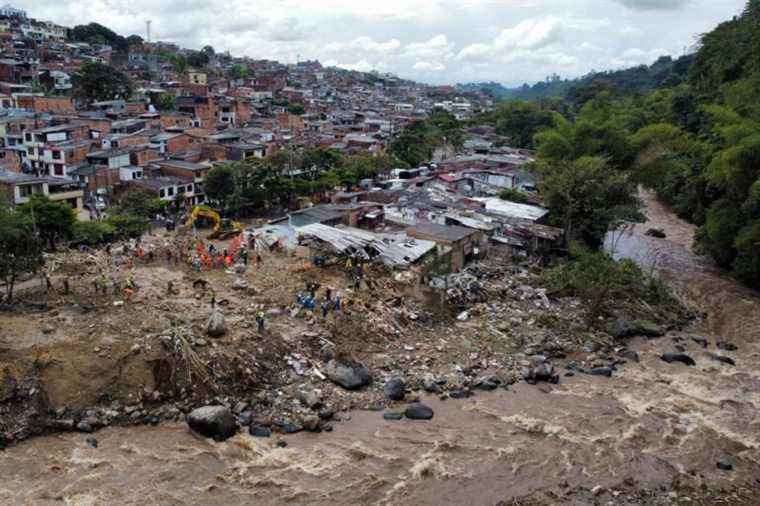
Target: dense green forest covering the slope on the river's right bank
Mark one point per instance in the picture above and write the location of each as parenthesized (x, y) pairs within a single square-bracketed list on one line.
[(694, 139)]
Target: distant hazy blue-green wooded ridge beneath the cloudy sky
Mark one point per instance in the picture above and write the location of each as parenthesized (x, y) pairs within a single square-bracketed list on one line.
[(642, 79)]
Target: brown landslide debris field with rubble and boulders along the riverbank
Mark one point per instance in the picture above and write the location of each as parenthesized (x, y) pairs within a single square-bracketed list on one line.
[(86, 359)]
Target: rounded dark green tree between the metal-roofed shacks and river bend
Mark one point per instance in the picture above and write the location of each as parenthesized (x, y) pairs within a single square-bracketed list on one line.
[(588, 198)]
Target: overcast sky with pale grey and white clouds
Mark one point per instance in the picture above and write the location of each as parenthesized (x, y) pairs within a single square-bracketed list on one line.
[(433, 41)]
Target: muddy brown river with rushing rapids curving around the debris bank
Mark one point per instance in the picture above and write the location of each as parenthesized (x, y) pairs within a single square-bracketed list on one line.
[(651, 434)]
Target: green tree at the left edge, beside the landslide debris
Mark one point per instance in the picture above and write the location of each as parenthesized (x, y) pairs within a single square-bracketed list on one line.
[(21, 249)]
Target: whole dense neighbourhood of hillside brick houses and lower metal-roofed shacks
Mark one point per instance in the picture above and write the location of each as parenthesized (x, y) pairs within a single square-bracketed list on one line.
[(52, 144)]
